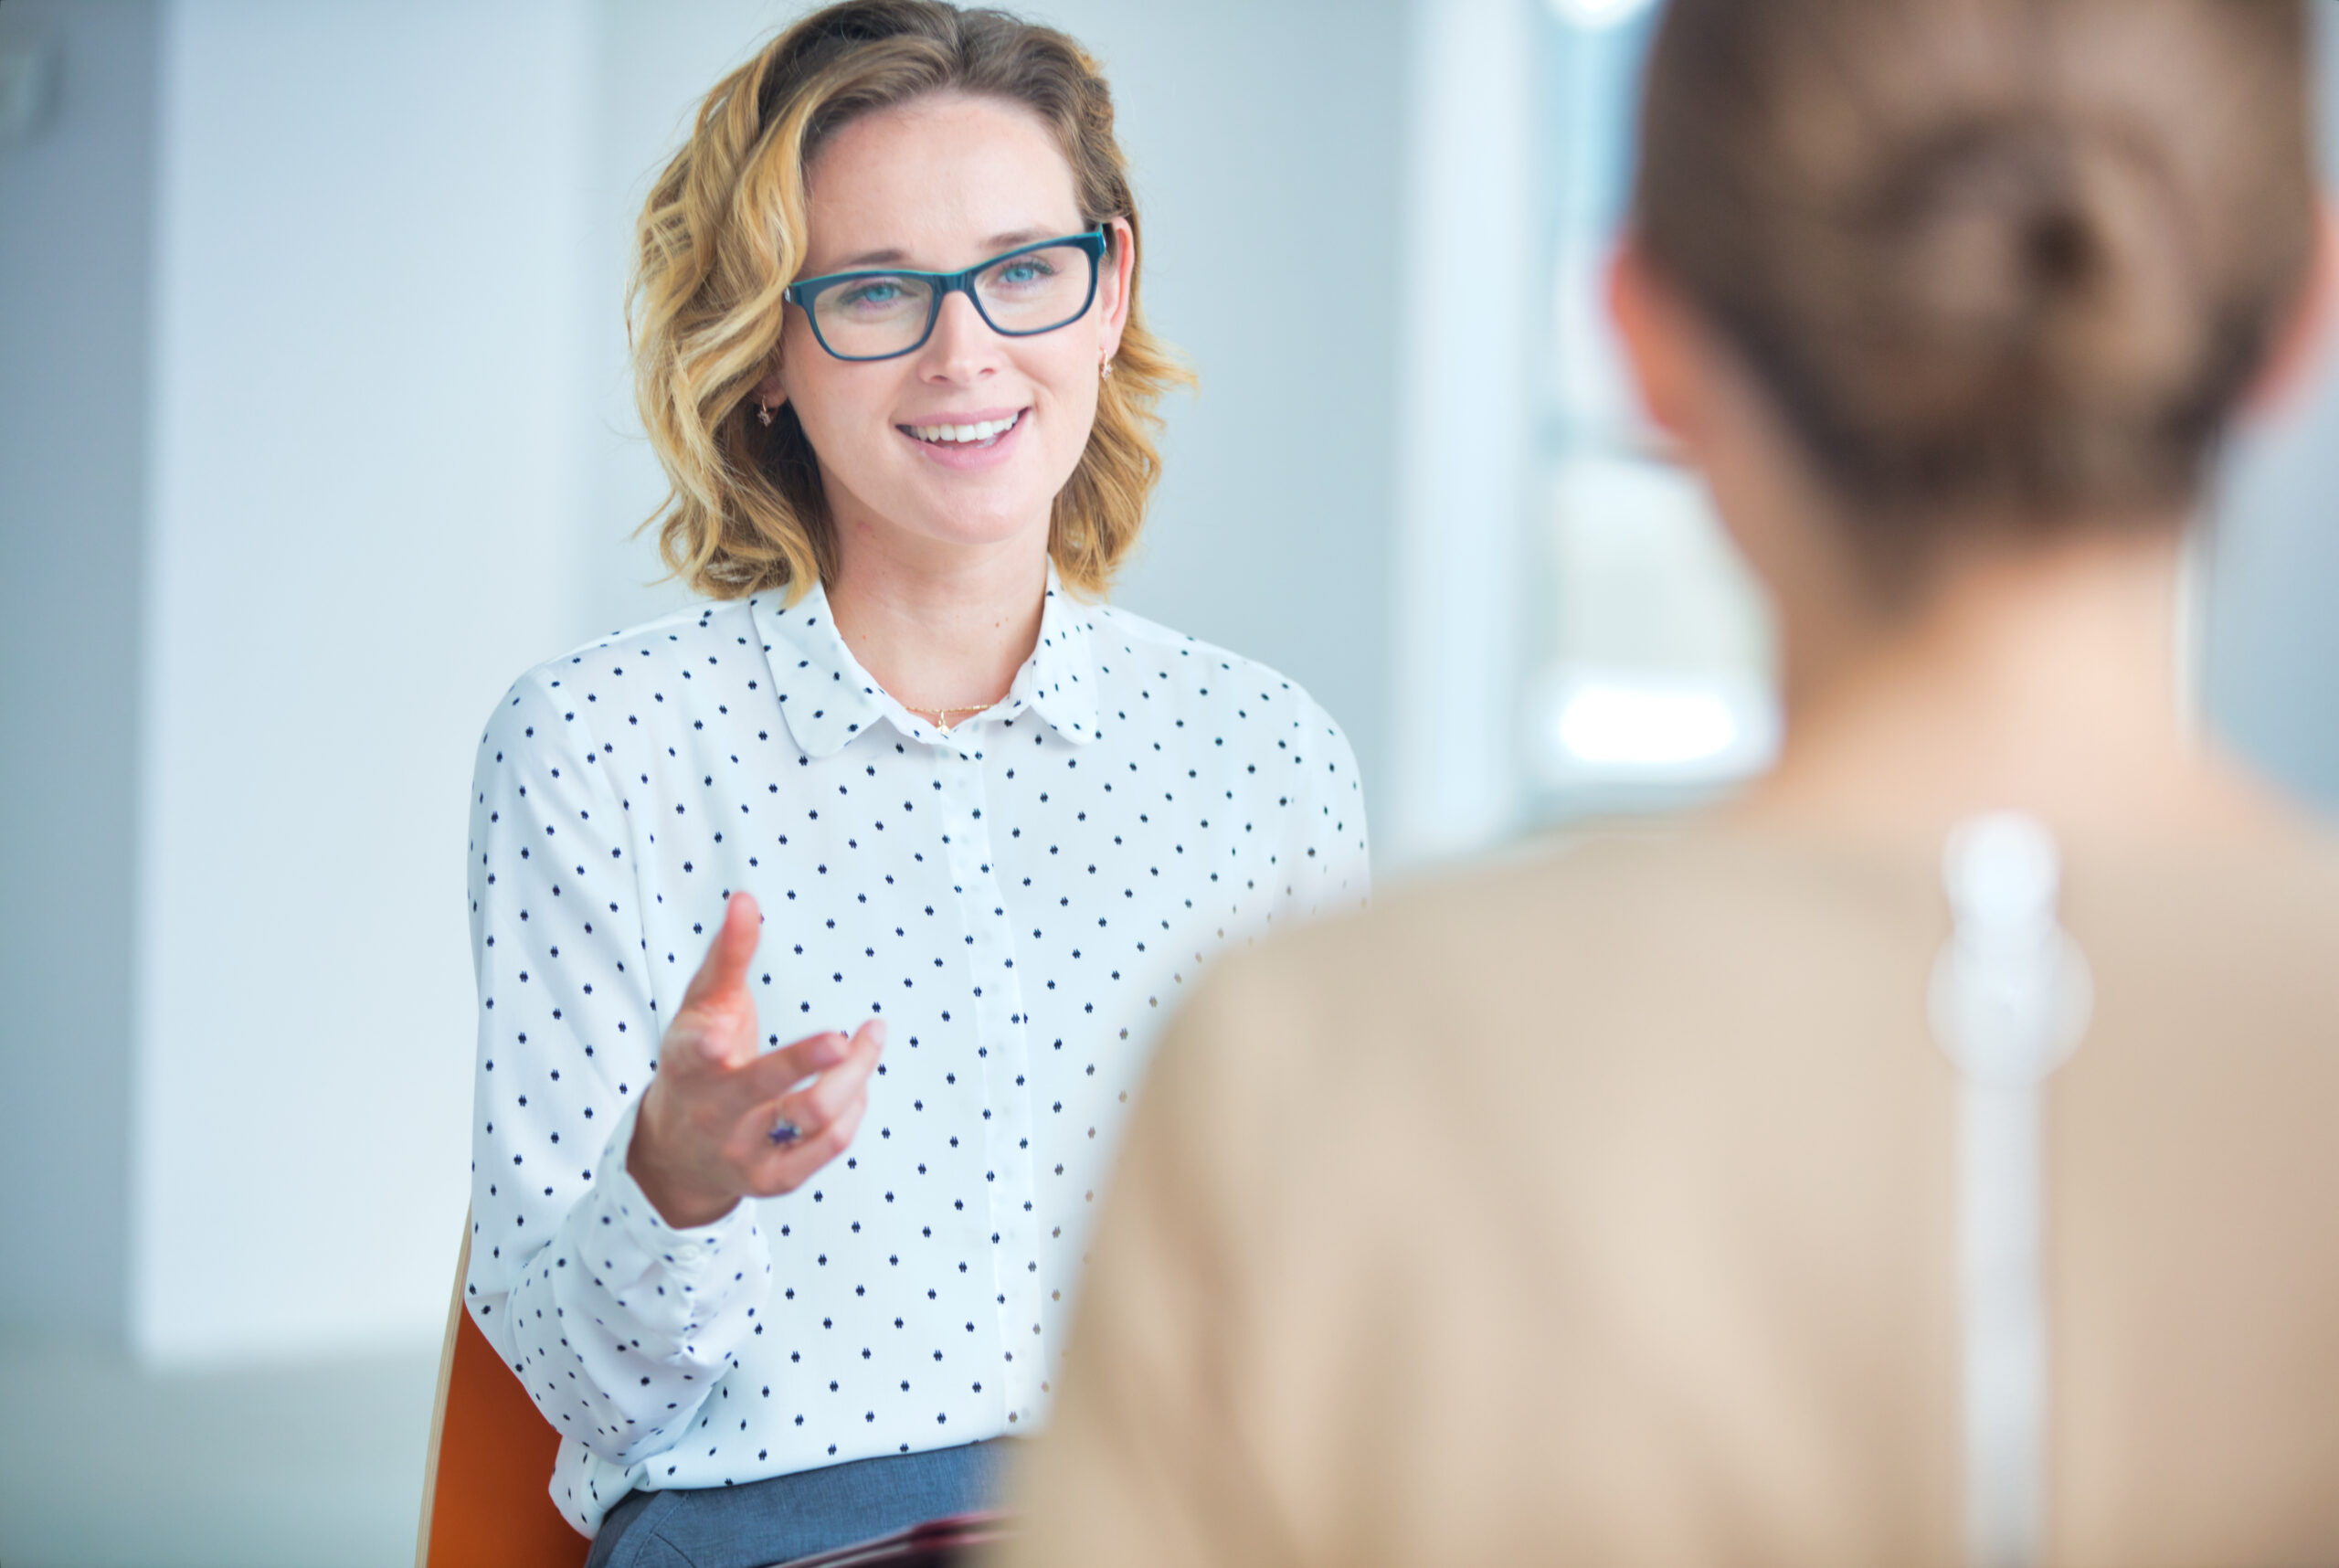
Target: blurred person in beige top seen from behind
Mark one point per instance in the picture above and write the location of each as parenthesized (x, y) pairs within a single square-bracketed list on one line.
[(1931, 1157)]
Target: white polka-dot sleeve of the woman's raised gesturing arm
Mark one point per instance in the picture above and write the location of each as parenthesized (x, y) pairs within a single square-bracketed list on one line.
[(614, 1321)]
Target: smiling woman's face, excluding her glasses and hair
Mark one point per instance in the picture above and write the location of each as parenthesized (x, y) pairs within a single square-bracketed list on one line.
[(939, 186)]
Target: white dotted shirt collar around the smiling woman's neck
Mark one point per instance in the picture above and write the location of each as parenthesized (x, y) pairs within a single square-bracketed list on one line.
[(829, 699)]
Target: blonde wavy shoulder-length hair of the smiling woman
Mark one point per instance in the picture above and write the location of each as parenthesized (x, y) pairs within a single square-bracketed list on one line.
[(724, 235)]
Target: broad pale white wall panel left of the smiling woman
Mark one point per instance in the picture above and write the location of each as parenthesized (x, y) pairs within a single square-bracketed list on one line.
[(366, 420)]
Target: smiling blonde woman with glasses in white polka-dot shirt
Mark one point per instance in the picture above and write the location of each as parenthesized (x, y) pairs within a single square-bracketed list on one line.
[(824, 928)]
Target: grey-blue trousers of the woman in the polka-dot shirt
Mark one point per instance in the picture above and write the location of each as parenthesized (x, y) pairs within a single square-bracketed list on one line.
[(796, 1515)]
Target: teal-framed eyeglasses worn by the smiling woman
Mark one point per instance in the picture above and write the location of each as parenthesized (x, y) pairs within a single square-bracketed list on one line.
[(1023, 294)]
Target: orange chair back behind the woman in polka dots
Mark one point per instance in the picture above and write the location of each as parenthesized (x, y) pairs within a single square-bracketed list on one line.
[(485, 1501)]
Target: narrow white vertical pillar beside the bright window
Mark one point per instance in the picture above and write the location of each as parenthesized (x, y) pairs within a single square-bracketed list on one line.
[(1465, 399)]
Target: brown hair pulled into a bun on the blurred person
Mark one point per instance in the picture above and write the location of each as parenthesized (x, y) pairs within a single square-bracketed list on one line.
[(1992, 259)]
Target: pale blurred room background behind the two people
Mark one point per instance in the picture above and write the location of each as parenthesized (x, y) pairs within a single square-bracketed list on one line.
[(315, 432)]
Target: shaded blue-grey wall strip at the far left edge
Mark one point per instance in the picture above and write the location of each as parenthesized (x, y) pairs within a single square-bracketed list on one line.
[(76, 223)]
